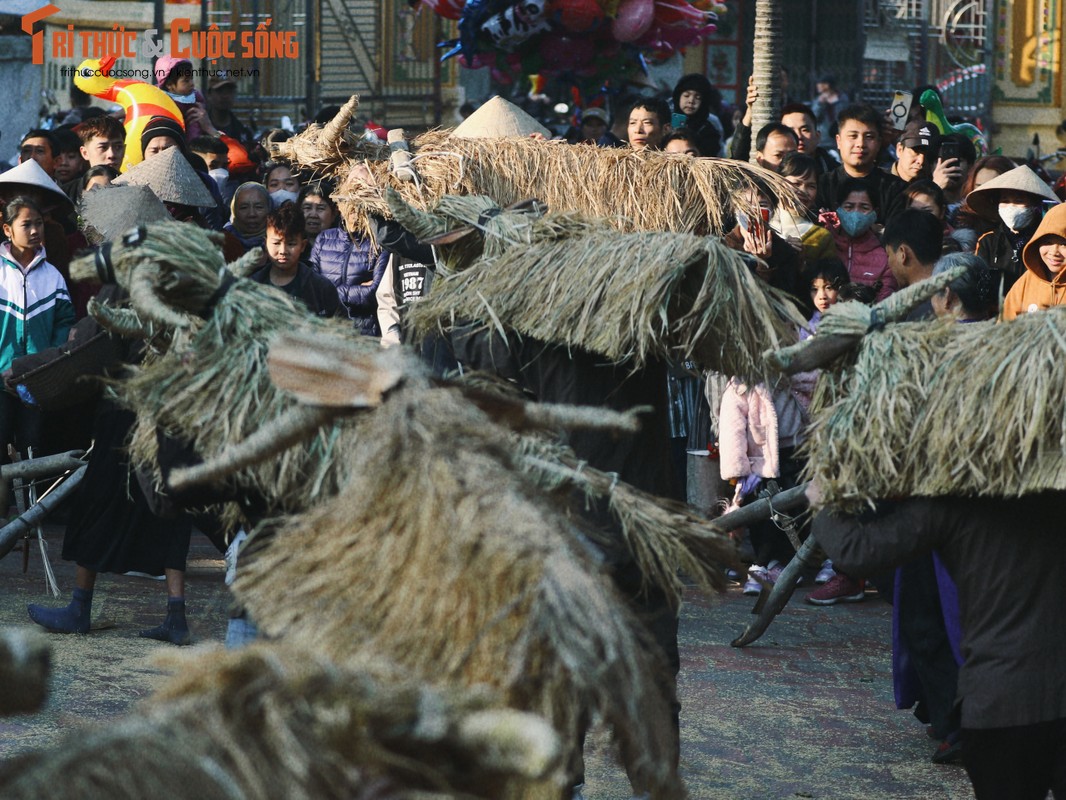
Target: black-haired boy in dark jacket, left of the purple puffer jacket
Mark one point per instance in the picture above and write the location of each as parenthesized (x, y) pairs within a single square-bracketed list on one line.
[(286, 269)]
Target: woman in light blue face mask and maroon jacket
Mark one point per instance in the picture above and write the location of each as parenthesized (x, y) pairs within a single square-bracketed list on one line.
[(859, 247)]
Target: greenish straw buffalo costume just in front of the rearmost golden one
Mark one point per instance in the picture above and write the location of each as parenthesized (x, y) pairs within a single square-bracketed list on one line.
[(567, 280)]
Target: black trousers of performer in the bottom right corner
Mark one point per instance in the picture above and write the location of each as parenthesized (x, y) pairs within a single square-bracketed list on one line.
[(1020, 763)]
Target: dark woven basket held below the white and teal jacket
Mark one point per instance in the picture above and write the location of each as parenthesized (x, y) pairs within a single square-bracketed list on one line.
[(67, 380)]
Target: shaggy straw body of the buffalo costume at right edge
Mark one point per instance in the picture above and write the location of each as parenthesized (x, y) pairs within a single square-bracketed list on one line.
[(941, 409)]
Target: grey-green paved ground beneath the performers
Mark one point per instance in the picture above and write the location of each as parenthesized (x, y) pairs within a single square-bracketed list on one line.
[(804, 713)]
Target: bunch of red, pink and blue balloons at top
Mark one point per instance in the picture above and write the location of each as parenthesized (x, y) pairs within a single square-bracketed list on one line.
[(585, 38)]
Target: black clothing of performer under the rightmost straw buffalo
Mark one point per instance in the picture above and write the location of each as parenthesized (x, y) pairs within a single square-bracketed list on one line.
[(1012, 687)]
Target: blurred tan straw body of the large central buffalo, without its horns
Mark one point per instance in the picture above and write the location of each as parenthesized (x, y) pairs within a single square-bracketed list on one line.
[(477, 579)]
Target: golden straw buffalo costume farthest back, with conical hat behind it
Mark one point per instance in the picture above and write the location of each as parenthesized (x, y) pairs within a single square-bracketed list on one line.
[(498, 158)]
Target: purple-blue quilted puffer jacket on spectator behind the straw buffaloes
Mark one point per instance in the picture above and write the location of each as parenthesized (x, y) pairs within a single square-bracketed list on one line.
[(357, 270)]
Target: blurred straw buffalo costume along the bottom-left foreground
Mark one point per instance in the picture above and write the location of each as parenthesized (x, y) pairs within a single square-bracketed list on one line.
[(269, 723)]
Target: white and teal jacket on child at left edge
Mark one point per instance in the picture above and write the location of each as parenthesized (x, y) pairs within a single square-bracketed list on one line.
[(37, 312)]
